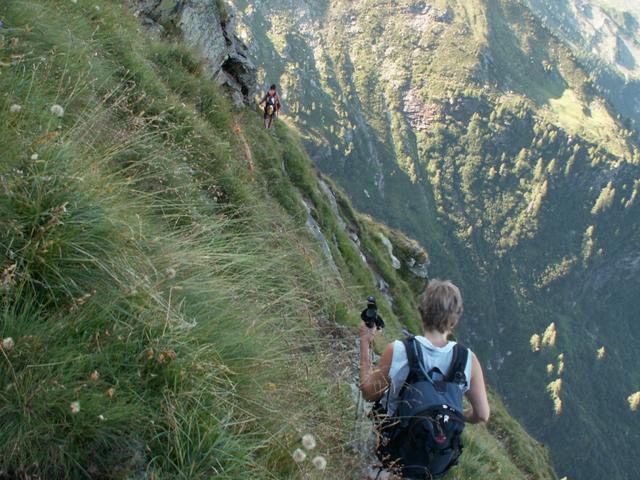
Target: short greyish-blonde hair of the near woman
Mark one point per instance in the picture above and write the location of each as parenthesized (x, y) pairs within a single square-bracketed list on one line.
[(440, 306)]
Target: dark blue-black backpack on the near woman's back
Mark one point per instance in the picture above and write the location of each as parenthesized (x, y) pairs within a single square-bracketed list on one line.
[(422, 440)]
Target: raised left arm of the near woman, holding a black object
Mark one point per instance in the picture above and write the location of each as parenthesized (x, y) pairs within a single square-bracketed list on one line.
[(374, 380)]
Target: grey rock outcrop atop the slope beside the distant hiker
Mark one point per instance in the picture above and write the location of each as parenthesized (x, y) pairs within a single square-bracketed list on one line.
[(206, 25)]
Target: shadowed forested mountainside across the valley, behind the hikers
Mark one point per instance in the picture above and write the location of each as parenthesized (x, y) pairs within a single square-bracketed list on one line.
[(480, 129)]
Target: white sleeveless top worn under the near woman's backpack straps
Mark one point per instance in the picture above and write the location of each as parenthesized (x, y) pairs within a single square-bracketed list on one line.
[(434, 357)]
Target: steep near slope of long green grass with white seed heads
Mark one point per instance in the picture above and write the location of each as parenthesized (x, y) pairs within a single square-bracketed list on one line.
[(165, 312)]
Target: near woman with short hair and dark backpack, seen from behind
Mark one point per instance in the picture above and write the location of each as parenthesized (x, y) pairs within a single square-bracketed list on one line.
[(418, 387)]
